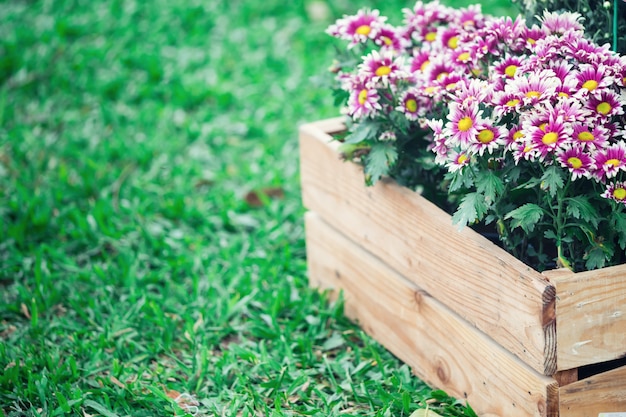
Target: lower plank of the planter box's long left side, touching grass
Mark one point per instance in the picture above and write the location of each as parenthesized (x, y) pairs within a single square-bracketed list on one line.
[(443, 349)]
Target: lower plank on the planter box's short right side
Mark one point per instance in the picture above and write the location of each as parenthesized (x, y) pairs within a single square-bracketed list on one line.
[(602, 393)]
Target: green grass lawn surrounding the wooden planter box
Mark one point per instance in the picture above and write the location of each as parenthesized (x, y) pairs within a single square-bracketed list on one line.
[(152, 257)]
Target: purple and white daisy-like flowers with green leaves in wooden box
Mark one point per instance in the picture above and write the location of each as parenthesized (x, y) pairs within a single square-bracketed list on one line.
[(528, 122)]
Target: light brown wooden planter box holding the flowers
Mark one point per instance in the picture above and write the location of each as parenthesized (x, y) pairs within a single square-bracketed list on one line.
[(467, 317)]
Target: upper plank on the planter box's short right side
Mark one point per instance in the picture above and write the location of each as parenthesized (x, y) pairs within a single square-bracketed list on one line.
[(591, 316)]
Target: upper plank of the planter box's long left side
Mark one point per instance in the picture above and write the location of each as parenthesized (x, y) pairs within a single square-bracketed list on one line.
[(491, 289)]
